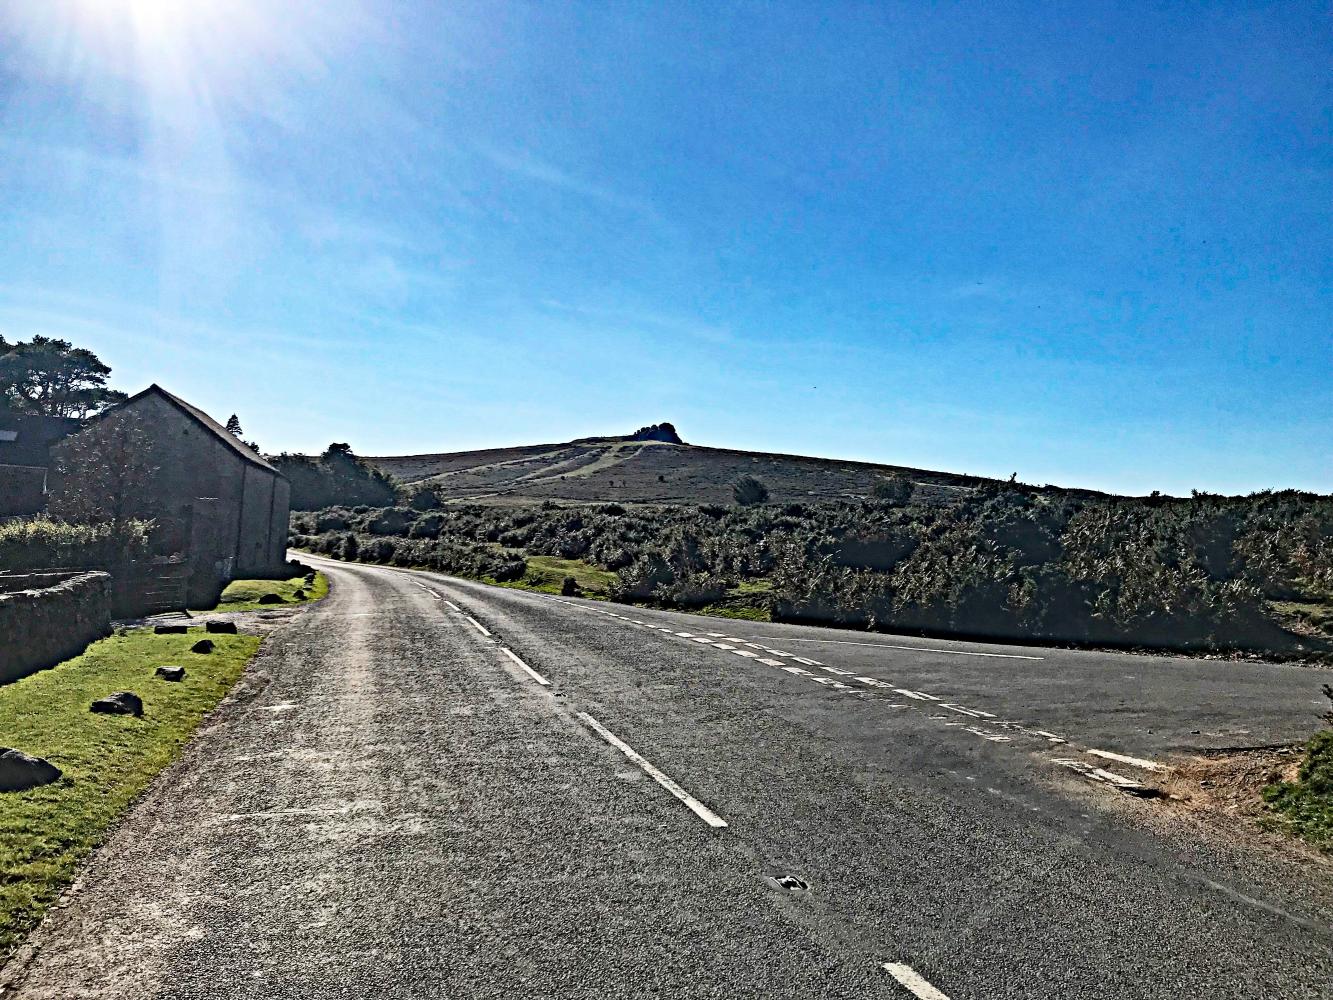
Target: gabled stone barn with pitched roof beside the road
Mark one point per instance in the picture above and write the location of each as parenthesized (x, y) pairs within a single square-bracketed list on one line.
[(218, 506)]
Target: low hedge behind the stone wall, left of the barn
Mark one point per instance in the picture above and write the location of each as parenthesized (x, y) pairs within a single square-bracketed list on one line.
[(42, 543)]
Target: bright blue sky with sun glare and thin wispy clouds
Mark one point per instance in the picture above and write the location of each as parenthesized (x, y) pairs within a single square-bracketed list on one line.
[(1087, 243)]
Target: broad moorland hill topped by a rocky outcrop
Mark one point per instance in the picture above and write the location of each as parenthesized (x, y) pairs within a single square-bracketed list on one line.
[(631, 470)]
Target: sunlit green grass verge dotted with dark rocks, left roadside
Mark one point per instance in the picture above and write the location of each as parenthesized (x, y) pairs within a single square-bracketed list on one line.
[(107, 761)]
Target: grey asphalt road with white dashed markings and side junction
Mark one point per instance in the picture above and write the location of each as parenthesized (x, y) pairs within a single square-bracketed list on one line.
[(398, 806)]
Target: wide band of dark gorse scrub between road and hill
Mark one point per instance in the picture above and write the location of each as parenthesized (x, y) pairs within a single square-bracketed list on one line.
[(1004, 561)]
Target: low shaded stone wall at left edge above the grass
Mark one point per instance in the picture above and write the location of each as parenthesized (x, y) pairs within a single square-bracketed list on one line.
[(49, 618)]
